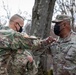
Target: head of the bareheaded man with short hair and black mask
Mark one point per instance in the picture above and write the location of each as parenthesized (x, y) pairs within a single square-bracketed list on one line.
[(16, 23)]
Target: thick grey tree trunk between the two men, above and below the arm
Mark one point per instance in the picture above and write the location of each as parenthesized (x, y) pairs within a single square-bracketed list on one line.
[(41, 25)]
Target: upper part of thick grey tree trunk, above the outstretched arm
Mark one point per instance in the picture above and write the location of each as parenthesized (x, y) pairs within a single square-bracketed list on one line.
[(41, 18)]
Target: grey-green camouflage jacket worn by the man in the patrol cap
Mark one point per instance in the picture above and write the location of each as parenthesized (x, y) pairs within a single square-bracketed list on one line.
[(64, 55)]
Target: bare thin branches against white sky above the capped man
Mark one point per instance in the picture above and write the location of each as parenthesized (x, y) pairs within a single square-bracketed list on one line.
[(67, 7)]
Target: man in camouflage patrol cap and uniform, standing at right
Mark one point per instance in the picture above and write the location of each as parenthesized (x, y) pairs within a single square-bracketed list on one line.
[(64, 49)]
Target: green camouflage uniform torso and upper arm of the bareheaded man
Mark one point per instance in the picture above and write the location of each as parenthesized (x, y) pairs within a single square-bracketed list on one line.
[(13, 54)]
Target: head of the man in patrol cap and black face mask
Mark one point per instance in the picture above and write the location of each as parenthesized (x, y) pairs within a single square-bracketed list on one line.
[(62, 22)]
